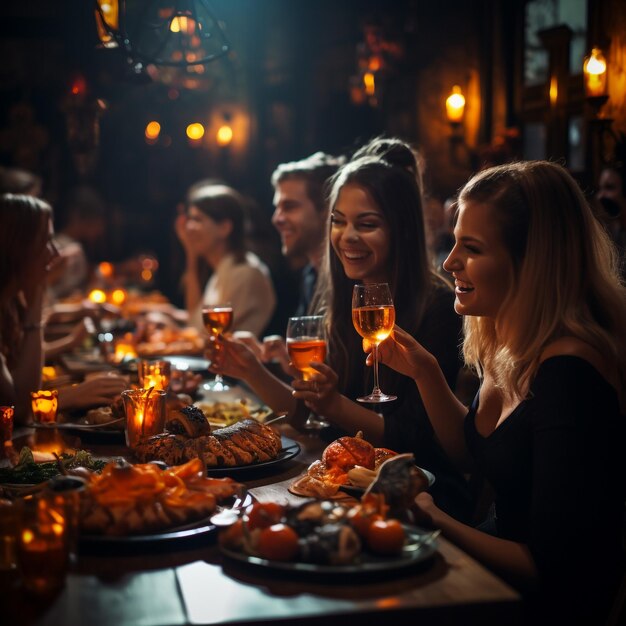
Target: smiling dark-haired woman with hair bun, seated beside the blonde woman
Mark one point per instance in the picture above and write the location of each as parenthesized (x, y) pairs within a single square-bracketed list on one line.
[(376, 234)]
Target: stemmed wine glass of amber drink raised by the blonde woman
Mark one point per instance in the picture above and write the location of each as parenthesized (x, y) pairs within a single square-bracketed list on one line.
[(373, 316)]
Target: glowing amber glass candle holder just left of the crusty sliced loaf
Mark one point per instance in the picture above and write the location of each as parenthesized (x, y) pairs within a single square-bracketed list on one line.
[(145, 413)]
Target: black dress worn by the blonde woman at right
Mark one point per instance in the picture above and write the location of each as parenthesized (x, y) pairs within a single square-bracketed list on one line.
[(556, 467)]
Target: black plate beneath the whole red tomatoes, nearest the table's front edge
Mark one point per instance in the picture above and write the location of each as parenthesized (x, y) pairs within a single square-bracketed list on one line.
[(416, 551)]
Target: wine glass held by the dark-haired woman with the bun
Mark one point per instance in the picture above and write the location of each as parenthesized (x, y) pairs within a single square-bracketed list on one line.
[(306, 342)]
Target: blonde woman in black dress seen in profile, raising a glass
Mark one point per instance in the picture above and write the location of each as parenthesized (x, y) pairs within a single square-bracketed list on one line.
[(545, 327)]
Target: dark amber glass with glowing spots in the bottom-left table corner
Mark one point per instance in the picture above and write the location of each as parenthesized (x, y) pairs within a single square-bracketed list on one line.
[(42, 545)]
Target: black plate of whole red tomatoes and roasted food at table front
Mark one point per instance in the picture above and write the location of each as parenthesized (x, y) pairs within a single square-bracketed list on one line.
[(326, 537)]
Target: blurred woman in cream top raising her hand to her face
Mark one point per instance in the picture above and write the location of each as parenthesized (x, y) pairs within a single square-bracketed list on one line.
[(213, 230)]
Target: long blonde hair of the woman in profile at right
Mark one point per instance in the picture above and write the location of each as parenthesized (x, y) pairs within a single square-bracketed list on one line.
[(565, 276)]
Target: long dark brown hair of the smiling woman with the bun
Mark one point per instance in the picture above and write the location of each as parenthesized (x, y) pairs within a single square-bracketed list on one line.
[(394, 189)]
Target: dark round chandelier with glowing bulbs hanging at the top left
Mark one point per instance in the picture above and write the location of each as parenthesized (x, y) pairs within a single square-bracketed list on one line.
[(168, 33)]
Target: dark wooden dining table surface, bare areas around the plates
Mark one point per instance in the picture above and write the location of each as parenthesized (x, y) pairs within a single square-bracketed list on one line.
[(193, 584)]
